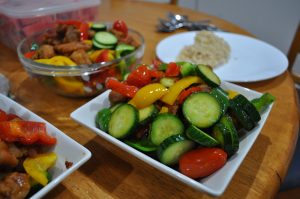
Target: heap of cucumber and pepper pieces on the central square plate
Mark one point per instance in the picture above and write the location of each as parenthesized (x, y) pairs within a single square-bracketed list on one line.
[(178, 114)]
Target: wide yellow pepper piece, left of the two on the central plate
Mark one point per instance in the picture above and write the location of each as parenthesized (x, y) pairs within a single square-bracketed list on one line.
[(147, 95)]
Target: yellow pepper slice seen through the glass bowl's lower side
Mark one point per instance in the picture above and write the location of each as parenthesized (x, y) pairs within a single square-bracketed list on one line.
[(70, 84)]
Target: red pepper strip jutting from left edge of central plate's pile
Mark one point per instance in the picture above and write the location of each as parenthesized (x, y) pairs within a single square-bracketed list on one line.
[(123, 89)]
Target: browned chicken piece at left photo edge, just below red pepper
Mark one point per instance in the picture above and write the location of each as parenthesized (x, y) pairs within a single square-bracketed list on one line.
[(6, 157)]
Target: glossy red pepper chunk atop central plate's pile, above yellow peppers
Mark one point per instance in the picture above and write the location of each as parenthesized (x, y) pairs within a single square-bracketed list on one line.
[(139, 77)]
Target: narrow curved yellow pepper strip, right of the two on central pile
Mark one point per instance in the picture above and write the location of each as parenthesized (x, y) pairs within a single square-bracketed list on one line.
[(177, 87)]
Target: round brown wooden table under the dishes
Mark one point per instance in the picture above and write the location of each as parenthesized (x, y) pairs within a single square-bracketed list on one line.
[(112, 173)]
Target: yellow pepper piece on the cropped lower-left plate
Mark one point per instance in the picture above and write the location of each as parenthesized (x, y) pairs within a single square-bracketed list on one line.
[(37, 166)]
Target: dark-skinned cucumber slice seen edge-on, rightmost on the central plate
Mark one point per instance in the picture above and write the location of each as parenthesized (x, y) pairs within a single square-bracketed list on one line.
[(248, 107)]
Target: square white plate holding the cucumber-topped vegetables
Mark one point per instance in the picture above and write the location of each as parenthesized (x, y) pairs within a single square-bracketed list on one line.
[(216, 183)]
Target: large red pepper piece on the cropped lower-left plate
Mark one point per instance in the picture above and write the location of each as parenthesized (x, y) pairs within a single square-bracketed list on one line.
[(25, 132)]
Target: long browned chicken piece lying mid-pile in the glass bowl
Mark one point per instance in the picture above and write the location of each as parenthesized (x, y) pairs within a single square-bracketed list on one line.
[(70, 47)]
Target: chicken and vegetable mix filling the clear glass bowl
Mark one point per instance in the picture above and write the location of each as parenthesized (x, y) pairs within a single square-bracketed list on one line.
[(76, 43)]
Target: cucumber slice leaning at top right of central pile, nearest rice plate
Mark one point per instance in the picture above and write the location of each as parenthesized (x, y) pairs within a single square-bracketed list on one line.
[(208, 76)]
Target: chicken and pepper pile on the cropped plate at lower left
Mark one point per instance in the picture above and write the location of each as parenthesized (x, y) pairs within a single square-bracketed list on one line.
[(23, 155)]
